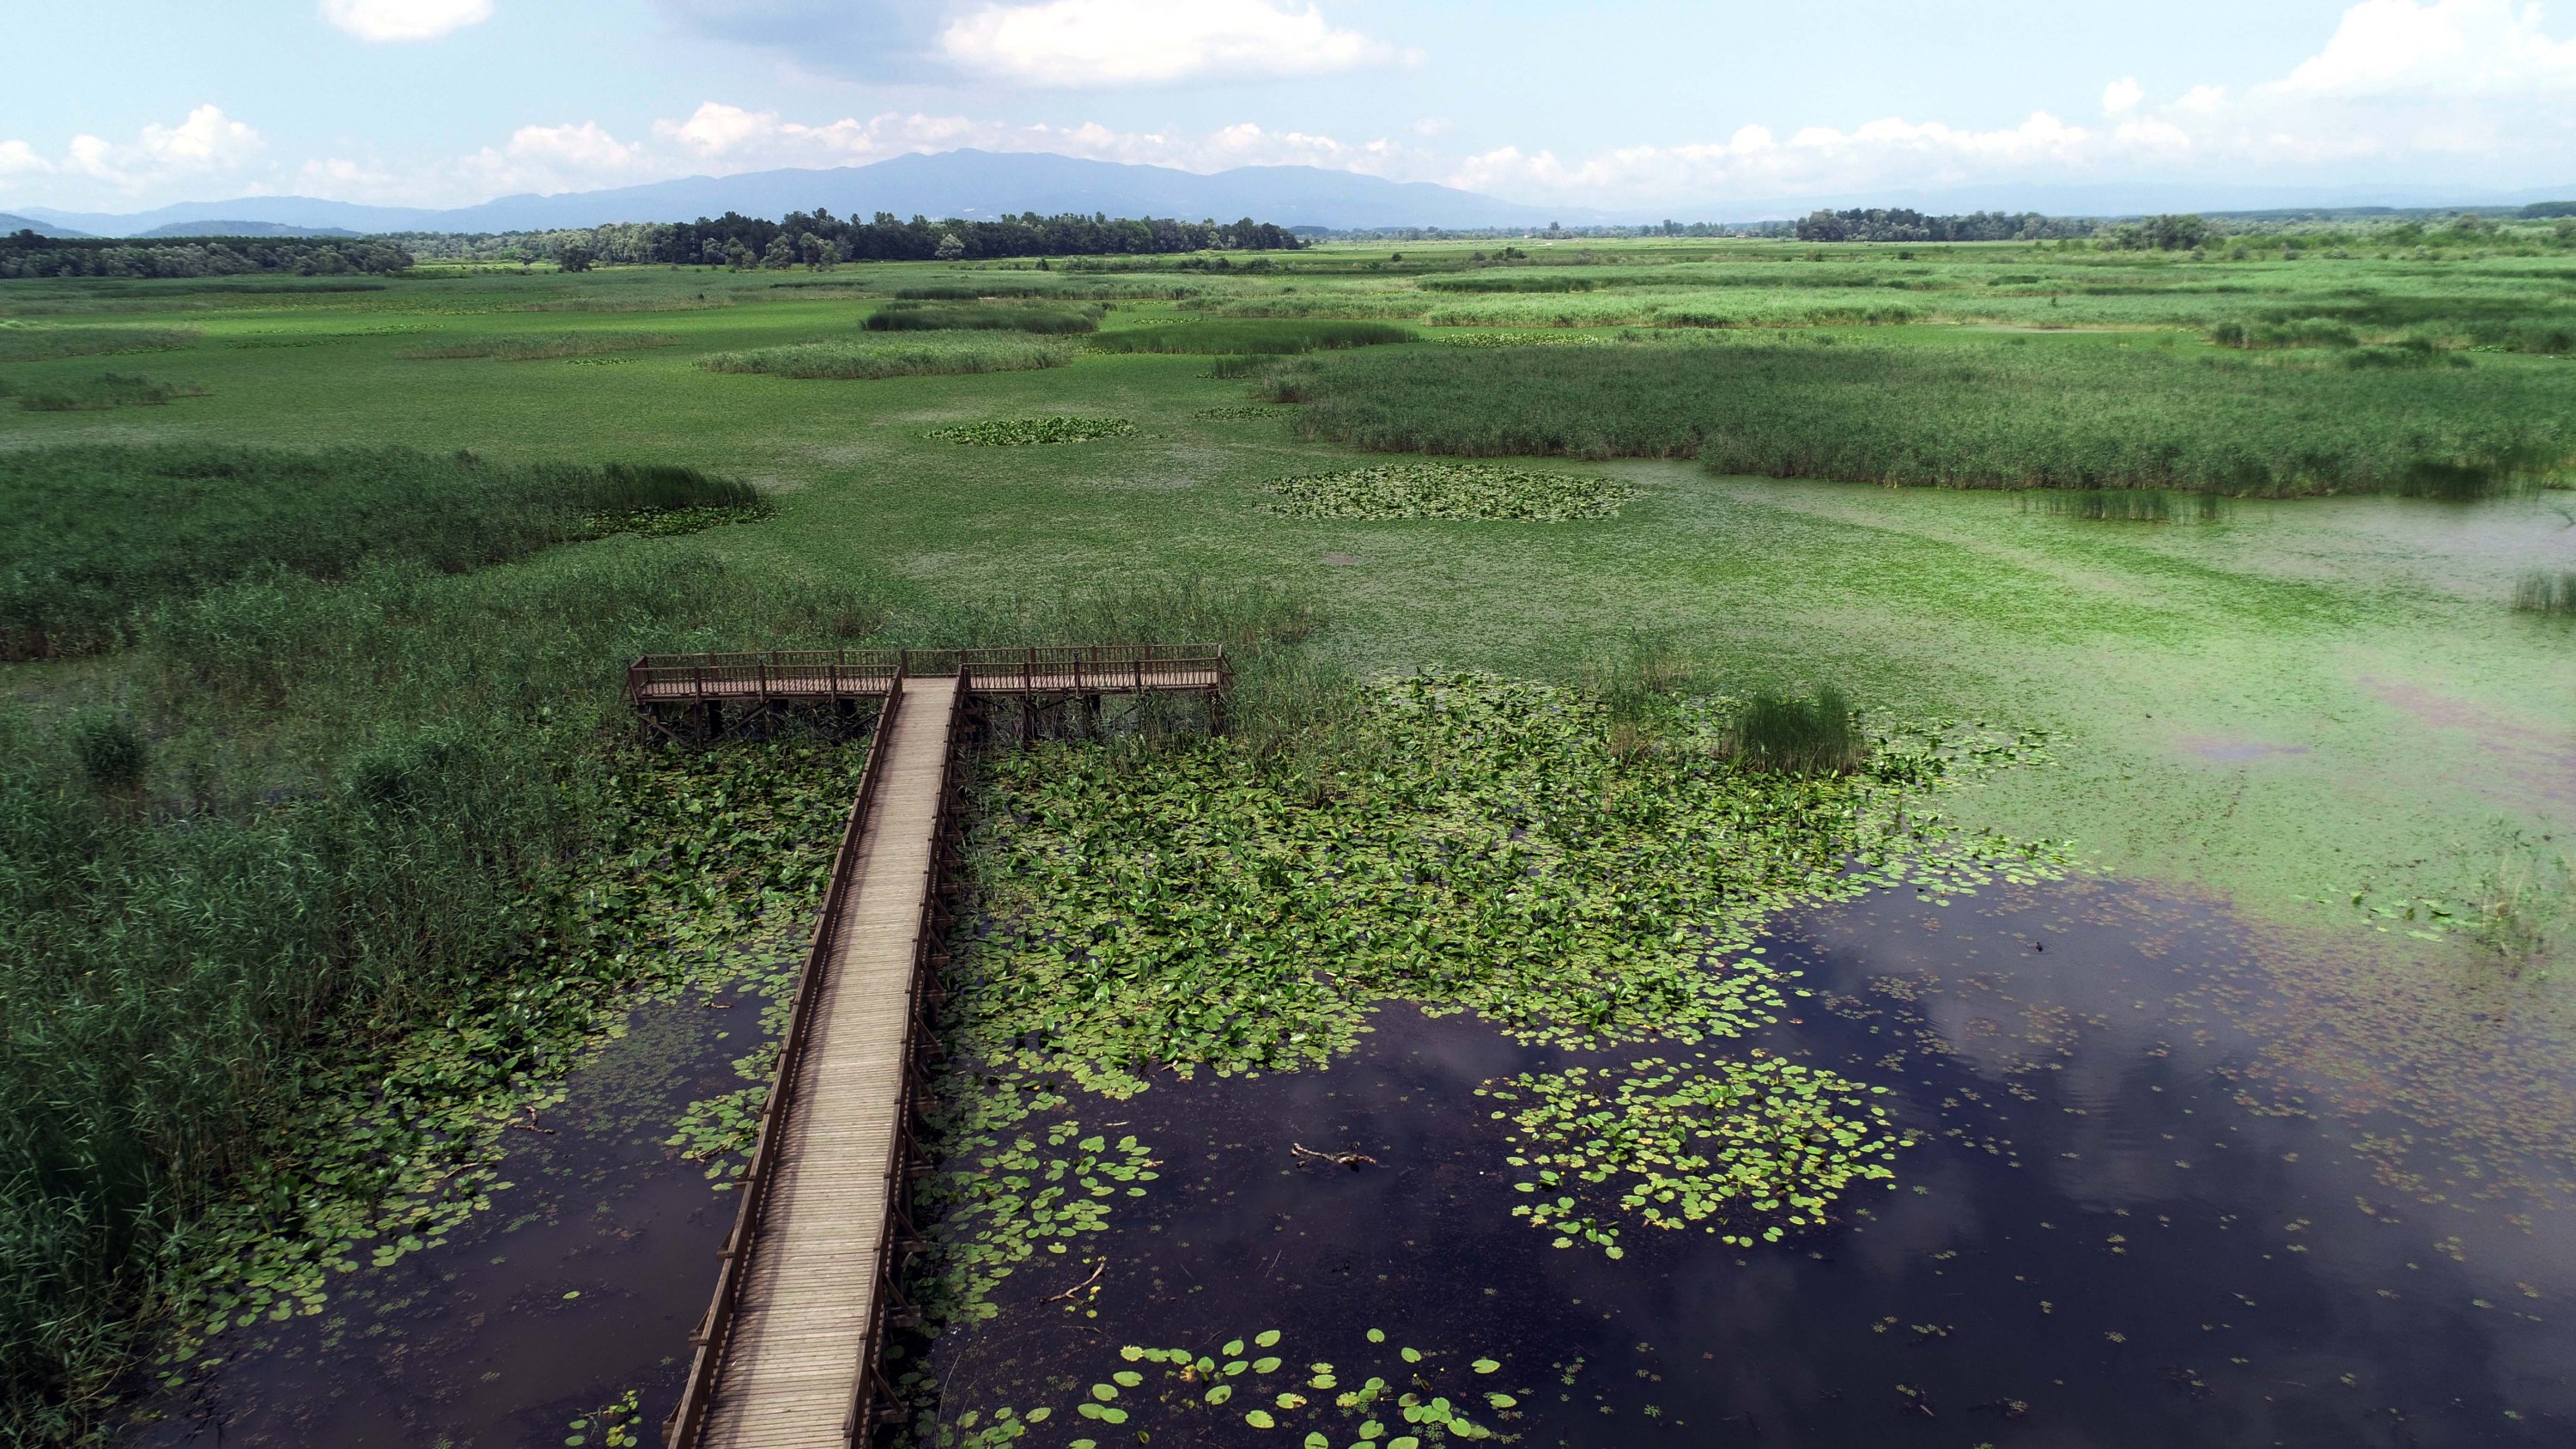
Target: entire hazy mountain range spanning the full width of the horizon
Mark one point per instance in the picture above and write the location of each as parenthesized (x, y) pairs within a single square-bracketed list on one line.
[(1001, 184)]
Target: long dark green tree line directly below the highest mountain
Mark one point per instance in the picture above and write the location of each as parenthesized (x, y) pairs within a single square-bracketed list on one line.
[(820, 238)]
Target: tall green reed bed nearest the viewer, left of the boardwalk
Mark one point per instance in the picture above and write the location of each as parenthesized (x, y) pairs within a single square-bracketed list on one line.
[(331, 813)]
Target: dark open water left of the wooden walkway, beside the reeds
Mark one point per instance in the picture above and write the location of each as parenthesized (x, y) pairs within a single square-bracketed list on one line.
[(578, 1285)]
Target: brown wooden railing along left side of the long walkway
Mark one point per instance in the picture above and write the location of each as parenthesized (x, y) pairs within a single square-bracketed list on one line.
[(774, 1118)]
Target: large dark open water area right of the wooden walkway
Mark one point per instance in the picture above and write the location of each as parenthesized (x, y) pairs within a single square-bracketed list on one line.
[(2111, 1236)]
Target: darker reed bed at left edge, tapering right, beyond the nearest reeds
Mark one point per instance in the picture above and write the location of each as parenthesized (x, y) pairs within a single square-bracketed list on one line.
[(102, 532)]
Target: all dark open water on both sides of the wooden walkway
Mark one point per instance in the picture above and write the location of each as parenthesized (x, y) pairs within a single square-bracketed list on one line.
[(2121, 1229)]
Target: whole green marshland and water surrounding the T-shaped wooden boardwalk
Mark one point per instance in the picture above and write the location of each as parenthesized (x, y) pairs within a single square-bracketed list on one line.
[(1722, 917)]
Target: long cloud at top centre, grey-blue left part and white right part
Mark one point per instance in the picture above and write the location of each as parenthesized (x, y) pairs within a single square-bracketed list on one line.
[(1045, 43)]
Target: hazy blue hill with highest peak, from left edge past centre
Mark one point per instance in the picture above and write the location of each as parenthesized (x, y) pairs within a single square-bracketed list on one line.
[(949, 184)]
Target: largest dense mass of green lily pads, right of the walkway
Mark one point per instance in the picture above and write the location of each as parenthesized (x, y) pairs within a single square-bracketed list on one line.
[(1480, 844)]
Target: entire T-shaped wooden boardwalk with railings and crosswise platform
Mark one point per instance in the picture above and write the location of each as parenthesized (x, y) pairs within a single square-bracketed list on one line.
[(810, 1280)]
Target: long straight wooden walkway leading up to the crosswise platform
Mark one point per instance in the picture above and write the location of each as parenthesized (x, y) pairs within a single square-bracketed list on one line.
[(792, 1363)]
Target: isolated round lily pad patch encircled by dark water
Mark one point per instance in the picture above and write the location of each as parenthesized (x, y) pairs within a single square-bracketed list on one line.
[(1750, 1149)]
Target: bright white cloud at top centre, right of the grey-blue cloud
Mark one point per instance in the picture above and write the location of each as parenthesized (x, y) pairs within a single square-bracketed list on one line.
[(1148, 43)]
